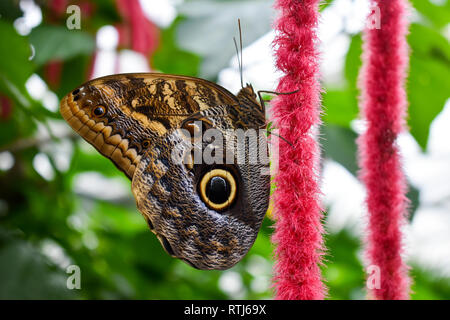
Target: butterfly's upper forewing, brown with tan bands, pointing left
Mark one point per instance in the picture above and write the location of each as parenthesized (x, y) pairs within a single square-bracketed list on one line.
[(121, 114)]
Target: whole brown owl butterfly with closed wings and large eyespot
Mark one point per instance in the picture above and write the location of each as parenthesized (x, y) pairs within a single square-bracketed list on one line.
[(207, 214)]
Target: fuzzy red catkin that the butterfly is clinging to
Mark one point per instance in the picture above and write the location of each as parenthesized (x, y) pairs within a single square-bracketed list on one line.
[(298, 212)]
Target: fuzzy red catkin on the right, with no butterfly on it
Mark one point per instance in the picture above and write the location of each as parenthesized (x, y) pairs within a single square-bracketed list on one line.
[(383, 106)]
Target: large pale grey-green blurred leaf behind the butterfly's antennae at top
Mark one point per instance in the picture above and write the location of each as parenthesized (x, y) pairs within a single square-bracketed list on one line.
[(210, 26)]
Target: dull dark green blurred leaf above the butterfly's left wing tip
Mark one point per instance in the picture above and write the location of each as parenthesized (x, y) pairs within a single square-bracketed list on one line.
[(59, 43)]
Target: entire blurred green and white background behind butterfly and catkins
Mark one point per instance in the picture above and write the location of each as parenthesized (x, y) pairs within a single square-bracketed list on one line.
[(62, 203)]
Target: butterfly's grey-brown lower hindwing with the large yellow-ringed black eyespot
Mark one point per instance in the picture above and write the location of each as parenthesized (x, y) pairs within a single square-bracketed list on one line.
[(207, 226)]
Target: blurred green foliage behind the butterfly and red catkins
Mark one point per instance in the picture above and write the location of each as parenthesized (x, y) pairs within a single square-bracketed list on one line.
[(46, 224)]
